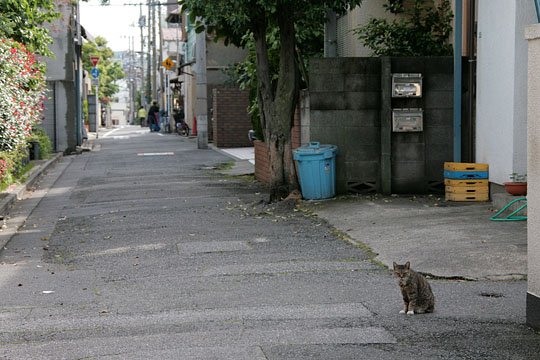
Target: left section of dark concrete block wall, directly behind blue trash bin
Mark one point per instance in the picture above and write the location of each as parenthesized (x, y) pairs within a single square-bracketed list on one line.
[(345, 96)]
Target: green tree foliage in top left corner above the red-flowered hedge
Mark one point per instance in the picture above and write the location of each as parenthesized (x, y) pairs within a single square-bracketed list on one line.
[(22, 21)]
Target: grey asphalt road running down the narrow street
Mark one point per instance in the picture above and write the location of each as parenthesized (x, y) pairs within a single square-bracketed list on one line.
[(142, 249)]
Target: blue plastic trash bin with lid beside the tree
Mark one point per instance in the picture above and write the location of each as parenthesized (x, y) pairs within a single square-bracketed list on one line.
[(316, 167)]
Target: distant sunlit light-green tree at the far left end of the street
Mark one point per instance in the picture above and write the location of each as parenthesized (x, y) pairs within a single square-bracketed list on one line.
[(110, 71)]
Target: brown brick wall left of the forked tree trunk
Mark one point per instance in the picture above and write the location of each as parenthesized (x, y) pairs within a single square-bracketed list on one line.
[(231, 122)]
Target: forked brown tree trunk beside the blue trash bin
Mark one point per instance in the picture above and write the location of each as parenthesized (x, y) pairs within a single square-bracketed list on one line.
[(277, 109)]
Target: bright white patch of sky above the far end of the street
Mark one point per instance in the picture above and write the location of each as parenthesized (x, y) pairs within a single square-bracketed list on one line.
[(115, 22)]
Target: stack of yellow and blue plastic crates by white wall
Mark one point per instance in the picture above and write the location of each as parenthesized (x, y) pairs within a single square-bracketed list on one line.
[(466, 181)]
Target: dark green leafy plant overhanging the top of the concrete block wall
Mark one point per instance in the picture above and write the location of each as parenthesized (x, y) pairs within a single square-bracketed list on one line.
[(422, 29)]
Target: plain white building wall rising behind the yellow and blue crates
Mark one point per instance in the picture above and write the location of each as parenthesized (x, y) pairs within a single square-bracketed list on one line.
[(501, 121)]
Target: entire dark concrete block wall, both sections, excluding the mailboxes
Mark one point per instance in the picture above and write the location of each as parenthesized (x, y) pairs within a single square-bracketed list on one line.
[(345, 109)]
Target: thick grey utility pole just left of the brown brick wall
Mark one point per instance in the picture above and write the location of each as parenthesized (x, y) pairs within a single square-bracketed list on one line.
[(201, 105)]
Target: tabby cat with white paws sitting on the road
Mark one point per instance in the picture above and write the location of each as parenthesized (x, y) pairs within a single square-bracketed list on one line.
[(417, 294)]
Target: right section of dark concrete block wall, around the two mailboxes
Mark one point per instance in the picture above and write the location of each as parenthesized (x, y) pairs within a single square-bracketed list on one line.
[(418, 157)]
